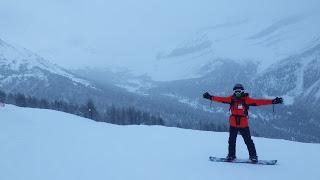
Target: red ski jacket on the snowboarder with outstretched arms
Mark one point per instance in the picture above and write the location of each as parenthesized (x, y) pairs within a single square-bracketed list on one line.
[(239, 108)]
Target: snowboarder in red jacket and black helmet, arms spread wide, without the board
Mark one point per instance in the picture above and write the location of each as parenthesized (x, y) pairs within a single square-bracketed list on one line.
[(239, 104)]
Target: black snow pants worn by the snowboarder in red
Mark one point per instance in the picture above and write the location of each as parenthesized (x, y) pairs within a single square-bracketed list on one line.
[(245, 133)]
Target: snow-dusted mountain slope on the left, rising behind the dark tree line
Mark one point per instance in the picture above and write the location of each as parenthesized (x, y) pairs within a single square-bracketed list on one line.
[(22, 71)]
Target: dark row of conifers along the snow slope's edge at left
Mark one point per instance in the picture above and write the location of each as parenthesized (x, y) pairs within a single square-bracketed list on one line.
[(110, 114)]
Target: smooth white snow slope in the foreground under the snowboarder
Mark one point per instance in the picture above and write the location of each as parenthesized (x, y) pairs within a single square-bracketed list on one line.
[(49, 145)]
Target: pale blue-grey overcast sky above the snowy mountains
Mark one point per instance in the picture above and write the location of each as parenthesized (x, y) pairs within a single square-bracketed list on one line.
[(77, 33)]
